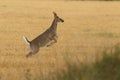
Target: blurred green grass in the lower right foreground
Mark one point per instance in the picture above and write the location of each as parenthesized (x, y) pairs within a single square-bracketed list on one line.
[(107, 68)]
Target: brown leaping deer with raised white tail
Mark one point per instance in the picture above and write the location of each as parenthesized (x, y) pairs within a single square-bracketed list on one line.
[(47, 38)]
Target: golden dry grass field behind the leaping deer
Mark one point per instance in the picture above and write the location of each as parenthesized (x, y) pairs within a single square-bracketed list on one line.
[(89, 28)]
